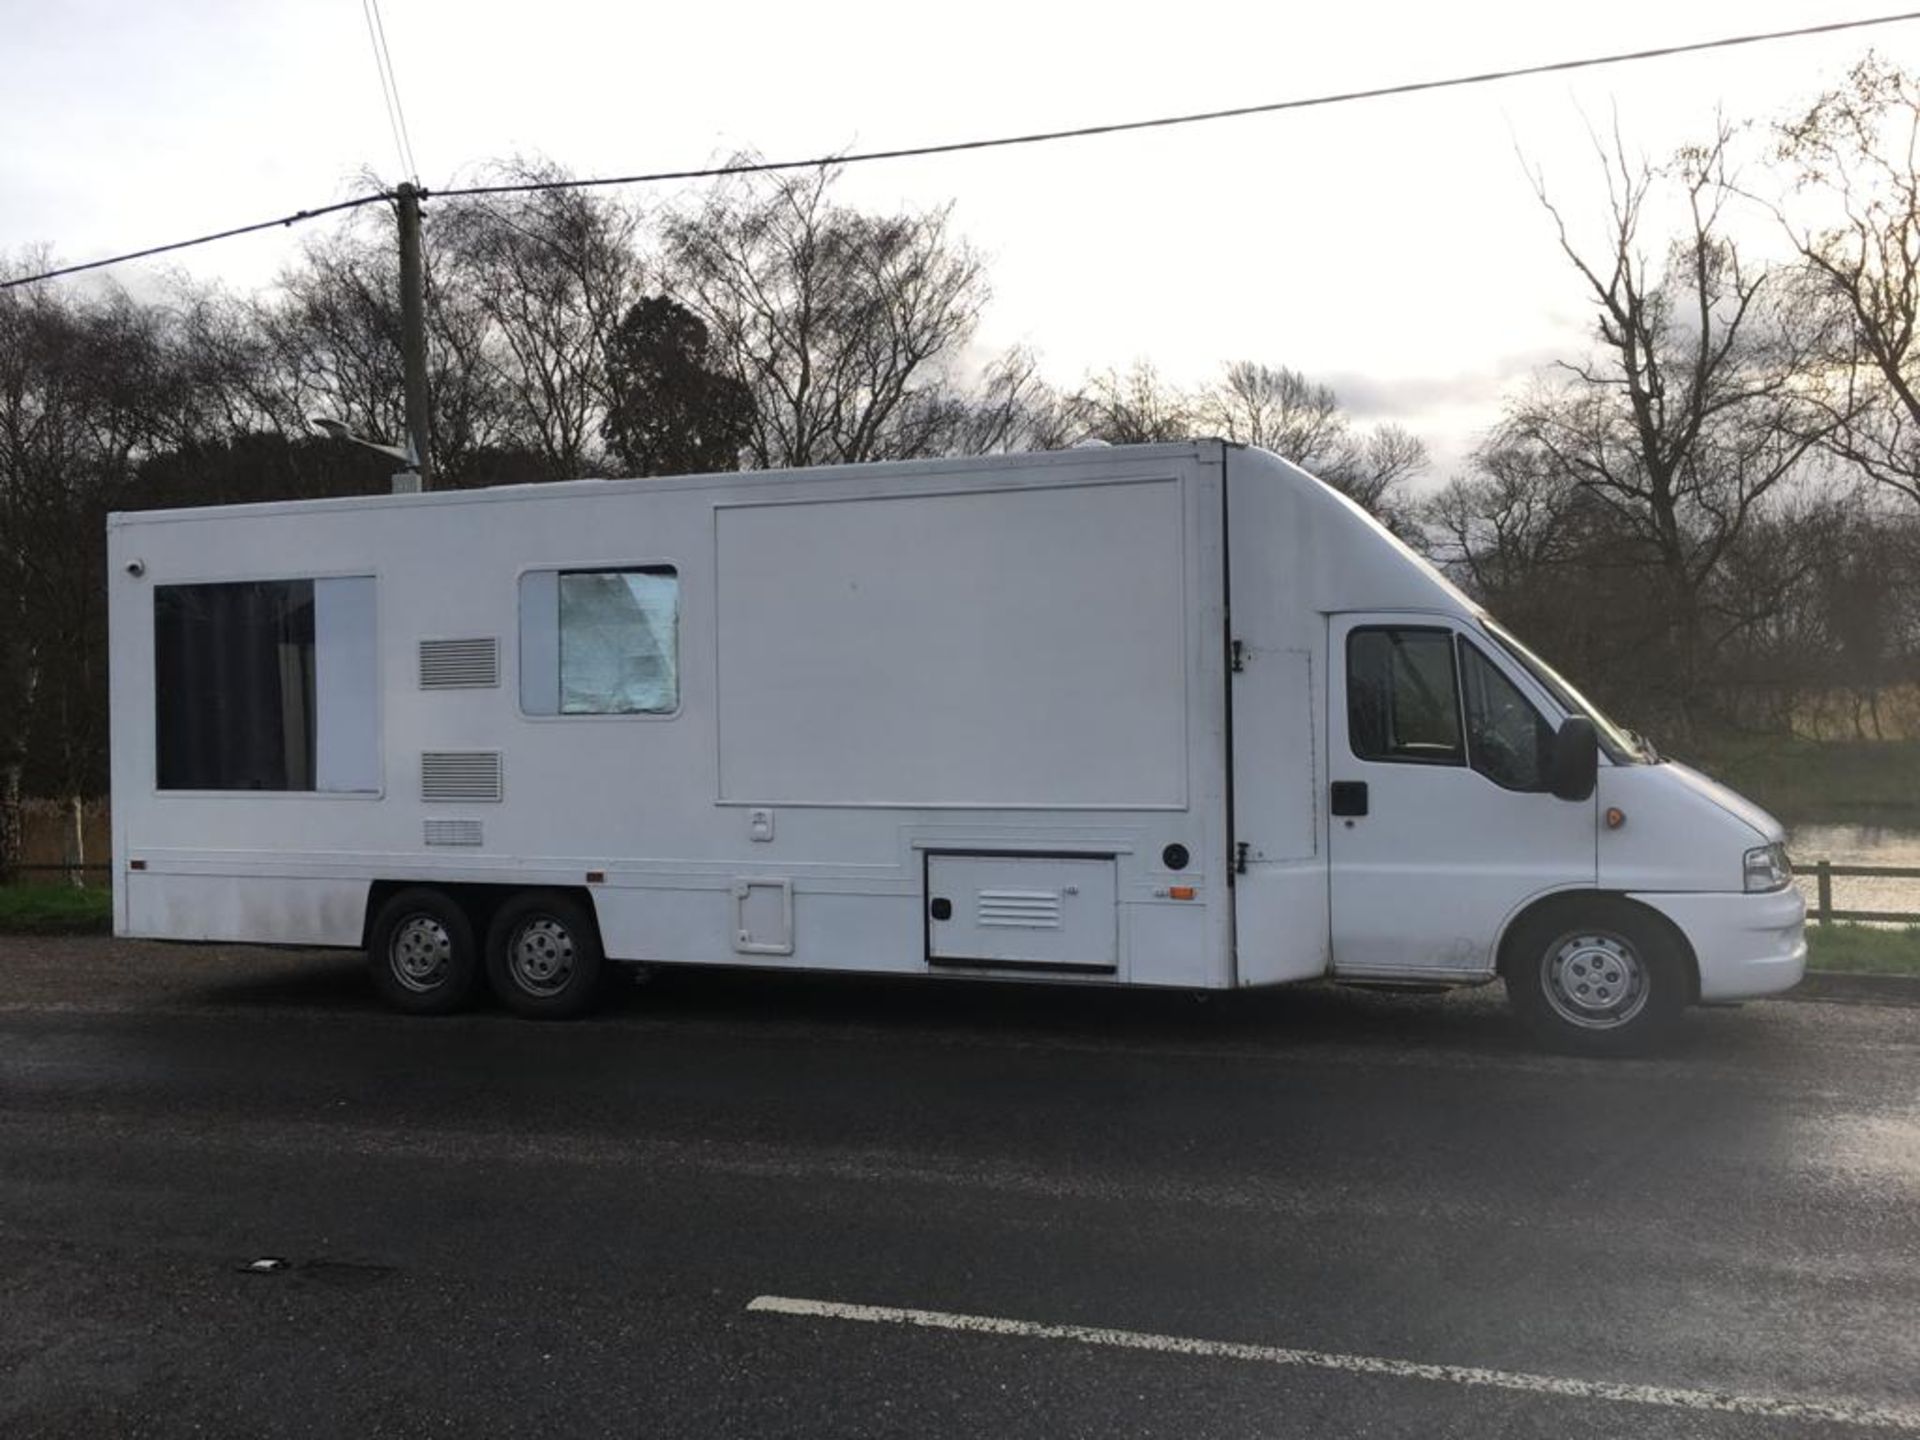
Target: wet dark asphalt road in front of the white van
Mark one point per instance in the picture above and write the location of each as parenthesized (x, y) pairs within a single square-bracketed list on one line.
[(1305, 1214)]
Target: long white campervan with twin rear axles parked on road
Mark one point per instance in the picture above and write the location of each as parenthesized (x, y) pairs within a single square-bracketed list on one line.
[(1164, 715)]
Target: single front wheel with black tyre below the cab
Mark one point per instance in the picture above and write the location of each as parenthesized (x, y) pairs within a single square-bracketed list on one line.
[(1596, 978)]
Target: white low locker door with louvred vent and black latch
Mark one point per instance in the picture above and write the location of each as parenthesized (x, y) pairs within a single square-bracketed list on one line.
[(1022, 911)]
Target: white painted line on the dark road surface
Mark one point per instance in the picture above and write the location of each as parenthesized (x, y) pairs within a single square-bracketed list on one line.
[(1835, 1412)]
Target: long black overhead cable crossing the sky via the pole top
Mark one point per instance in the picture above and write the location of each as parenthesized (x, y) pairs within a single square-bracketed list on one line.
[(1005, 141)]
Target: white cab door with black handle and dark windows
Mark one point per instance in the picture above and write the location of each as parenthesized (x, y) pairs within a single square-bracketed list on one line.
[(1441, 817)]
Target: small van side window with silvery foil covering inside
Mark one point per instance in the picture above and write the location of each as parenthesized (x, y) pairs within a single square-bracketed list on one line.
[(600, 642)]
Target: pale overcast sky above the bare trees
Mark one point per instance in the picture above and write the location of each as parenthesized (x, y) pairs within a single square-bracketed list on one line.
[(1393, 249)]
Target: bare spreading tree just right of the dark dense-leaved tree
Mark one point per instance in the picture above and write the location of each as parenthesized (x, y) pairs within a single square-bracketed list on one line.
[(840, 324)]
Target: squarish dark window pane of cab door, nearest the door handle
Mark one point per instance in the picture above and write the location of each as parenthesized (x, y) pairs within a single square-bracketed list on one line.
[(1403, 698)]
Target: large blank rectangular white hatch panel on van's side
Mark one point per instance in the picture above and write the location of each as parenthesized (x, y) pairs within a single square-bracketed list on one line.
[(992, 650)]
